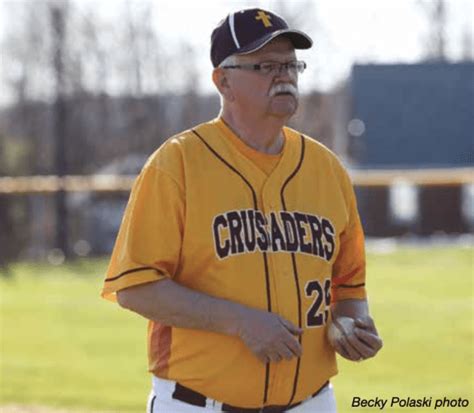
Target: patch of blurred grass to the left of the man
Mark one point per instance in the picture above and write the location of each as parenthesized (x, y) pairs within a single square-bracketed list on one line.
[(63, 346)]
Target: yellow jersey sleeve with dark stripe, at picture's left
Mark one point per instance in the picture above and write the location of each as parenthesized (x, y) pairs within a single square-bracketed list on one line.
[(149, 241)]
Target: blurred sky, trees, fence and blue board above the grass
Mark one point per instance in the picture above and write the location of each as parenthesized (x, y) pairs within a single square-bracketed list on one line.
[(90, 88)]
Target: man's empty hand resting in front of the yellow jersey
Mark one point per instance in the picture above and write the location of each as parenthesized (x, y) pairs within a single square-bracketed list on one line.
[(269, 336)]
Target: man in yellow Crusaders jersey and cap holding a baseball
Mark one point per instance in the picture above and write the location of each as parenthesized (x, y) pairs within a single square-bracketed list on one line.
[(240, 238)]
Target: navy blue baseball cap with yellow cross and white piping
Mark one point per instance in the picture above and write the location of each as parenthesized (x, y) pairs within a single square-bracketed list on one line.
[(248, 30)]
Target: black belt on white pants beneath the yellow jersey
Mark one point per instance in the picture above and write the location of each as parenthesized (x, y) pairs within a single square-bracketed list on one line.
[(189, 396)]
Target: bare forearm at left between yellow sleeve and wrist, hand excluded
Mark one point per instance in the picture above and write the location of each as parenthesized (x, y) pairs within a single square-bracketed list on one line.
[(169, 303)]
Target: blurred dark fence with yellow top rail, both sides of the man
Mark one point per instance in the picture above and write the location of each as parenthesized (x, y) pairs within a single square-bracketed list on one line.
[(391, 203)]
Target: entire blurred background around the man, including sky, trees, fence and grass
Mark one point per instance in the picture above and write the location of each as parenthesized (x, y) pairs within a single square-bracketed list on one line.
[(90, 88)]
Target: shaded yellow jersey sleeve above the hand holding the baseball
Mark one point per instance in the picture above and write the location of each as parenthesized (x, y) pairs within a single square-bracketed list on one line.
[(349, 267)]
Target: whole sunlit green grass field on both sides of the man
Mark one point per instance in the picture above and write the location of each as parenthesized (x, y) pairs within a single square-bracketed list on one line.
[(62, 346)]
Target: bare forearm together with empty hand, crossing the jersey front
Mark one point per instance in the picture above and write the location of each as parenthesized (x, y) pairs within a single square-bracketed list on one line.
[(269, 336)]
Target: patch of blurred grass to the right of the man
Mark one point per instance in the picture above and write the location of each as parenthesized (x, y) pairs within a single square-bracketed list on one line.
[(422, 301)]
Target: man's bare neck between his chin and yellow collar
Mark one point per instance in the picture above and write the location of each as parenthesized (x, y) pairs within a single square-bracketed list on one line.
[(264, 135)]
